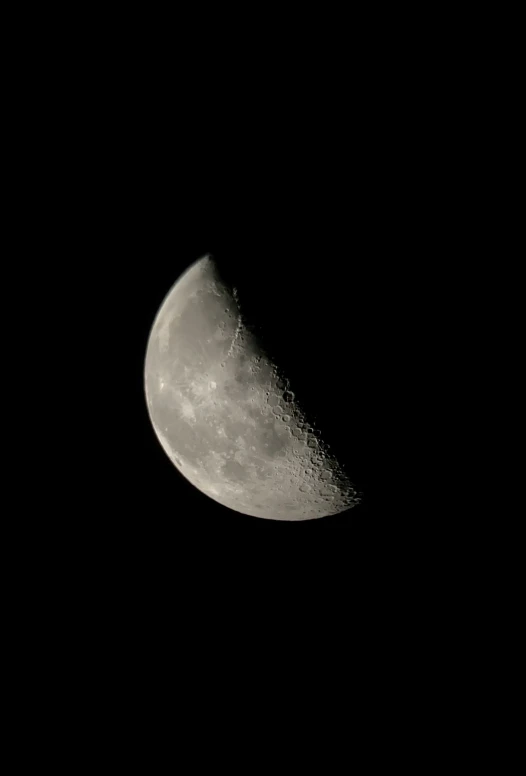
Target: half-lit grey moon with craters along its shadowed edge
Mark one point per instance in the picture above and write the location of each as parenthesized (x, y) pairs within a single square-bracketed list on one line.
[(226, 415)]
